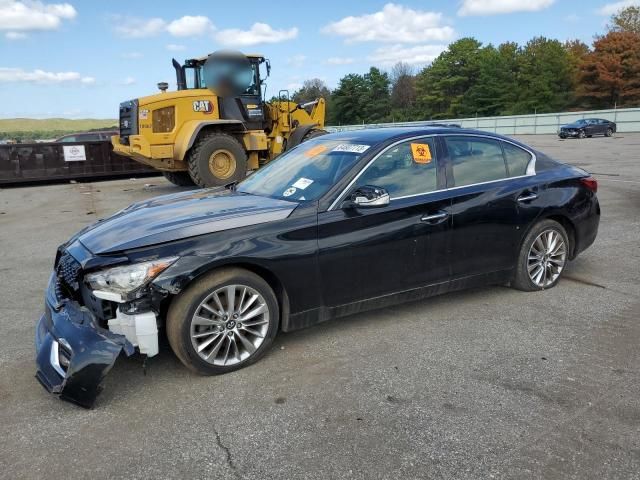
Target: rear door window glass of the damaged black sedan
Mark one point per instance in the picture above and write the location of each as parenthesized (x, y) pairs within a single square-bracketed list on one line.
[(475, 160)]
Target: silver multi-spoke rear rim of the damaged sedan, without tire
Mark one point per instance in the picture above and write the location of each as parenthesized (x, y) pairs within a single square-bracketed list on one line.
[(547, 258)]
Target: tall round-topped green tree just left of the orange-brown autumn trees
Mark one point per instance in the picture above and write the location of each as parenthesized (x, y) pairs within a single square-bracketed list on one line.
[(544, 82)]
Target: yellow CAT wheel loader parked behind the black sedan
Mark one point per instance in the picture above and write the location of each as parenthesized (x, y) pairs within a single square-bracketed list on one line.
[(217, 125)]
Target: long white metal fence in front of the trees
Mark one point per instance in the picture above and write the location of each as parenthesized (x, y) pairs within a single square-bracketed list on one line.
[(627, 120)]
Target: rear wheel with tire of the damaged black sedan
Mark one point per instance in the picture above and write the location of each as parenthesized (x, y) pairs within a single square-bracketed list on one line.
[(543, 257)]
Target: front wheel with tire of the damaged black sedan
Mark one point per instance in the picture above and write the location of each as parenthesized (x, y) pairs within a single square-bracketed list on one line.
[(225, 321)]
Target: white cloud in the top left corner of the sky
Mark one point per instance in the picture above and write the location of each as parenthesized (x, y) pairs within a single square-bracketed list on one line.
[(33, 15)]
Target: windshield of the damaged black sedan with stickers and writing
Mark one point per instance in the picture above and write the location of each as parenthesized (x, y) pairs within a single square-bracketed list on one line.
[(306, 172)]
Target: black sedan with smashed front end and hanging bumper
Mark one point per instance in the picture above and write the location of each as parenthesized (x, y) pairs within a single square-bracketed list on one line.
[(340, 224)]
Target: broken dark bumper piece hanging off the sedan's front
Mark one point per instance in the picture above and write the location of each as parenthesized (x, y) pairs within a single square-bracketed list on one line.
[(73, 353)]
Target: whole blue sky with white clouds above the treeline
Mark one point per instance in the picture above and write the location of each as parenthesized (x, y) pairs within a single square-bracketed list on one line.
[(80, 58)]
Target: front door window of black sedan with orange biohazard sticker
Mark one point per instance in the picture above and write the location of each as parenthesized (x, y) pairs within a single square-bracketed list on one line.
[(408, 168)]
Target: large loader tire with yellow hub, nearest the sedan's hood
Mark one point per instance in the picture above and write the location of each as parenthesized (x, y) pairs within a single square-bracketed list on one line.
[(217, 159)]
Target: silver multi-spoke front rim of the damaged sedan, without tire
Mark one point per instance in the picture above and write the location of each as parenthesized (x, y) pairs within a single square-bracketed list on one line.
[(229, 325)]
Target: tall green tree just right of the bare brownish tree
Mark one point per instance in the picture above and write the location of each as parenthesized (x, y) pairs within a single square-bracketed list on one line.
[(441, 88)]
